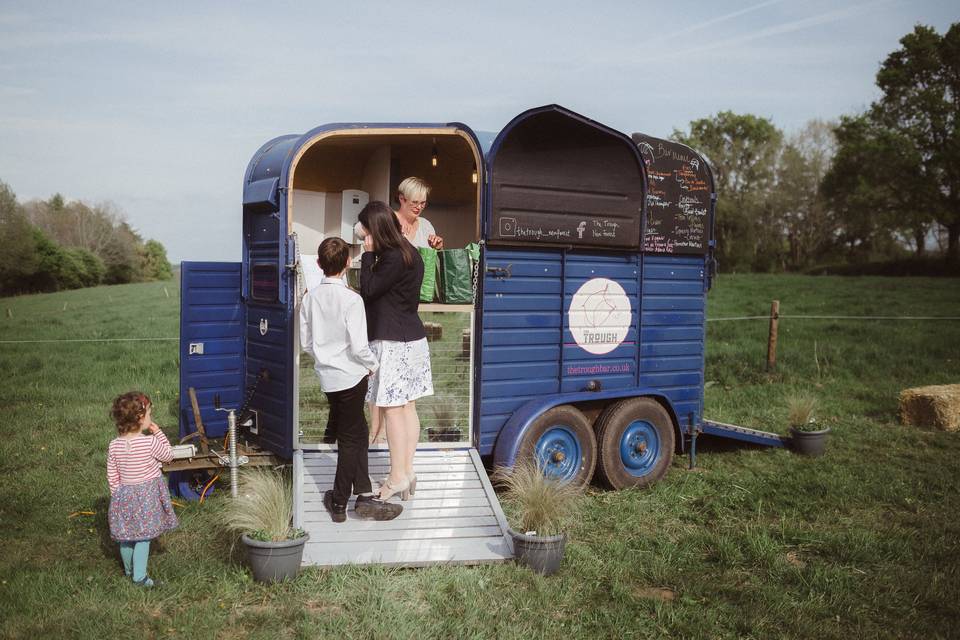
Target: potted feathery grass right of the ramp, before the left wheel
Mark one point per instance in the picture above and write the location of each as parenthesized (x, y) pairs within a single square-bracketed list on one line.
[(540, 509)]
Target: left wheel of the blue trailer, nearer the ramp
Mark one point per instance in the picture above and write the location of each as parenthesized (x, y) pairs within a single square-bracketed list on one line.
[(563, 444)]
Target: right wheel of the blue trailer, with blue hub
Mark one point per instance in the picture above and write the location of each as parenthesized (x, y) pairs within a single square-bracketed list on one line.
[(636, 442)]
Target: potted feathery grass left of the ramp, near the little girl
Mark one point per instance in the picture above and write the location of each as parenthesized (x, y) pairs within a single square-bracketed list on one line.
[(262, 513)]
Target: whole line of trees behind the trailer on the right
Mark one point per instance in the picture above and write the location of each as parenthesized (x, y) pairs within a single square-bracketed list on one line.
[(875, 186)]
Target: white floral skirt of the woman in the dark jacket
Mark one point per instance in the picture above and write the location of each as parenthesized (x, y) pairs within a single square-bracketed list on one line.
[(404, 372)]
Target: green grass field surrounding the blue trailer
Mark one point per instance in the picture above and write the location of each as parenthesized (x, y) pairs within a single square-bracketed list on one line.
[(754, 543)]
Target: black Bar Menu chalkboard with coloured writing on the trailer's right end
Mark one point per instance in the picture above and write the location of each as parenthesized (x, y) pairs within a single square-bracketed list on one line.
[(679, 188)]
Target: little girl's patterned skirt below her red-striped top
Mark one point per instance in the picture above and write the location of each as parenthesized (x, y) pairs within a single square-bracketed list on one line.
[(141, 511)]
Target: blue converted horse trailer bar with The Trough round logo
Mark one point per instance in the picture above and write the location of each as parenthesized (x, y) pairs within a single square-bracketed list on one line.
[(587, 348)]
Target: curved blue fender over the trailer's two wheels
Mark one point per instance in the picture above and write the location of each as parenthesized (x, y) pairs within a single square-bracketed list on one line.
[(508, 441)]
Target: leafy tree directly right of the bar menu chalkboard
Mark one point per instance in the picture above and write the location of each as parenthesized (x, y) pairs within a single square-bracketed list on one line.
[(742, 150)]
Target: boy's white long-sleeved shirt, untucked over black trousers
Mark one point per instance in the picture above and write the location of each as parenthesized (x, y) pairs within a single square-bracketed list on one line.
[(333, 329)]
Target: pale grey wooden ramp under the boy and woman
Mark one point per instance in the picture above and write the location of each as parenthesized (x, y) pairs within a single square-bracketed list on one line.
[(454, 518)]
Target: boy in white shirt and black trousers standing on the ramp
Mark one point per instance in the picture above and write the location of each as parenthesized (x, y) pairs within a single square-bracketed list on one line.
[(333, 329)]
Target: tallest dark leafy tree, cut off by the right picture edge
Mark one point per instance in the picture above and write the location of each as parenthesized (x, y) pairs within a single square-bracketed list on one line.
[(921, 104)]
